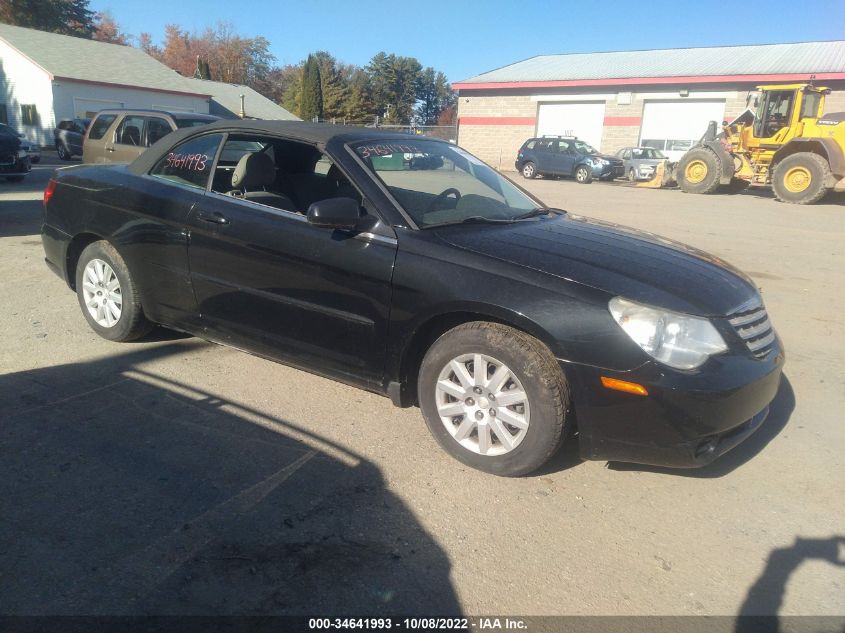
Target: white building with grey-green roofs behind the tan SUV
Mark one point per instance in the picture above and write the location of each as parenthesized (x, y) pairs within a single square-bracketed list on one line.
[(45, 77)]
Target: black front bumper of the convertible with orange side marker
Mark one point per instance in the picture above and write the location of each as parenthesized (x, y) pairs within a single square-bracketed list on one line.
[(687, 420)]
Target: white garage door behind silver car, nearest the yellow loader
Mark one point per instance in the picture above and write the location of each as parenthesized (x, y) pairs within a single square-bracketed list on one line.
[(675, 126)]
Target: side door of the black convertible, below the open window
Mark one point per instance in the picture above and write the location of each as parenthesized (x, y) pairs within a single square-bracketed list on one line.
[(268, 281)]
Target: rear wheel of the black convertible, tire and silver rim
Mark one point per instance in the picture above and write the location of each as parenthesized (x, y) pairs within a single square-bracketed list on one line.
[(120, 317)]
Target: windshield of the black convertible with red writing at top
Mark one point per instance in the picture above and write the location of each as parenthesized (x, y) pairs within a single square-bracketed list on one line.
[(438, 183)]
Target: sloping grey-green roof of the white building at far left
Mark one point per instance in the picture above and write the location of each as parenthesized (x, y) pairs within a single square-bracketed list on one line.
[(75, 58)]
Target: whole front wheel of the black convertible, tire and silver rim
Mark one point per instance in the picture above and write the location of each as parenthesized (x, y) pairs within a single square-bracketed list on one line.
[(530, 370)]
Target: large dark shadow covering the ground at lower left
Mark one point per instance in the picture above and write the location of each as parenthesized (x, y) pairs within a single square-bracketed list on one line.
[(127, 492)]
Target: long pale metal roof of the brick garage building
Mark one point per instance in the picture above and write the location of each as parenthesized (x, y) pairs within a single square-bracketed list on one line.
[(765, 59)]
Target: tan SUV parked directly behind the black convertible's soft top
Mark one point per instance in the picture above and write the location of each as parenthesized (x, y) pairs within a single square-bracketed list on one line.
[(120, 136)]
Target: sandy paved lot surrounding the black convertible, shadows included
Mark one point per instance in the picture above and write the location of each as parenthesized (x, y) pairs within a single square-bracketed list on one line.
[(174, 476)]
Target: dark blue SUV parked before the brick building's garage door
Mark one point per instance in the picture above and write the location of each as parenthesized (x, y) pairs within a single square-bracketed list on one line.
[(565, 156)]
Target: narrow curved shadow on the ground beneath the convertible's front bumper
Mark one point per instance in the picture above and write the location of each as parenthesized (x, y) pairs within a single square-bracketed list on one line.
[(780, 411)]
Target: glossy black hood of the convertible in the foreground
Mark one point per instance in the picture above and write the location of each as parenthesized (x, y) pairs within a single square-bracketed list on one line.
[(613, 258)]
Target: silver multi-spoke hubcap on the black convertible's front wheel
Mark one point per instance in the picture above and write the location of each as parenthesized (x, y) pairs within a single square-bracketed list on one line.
[(482, 404)]
